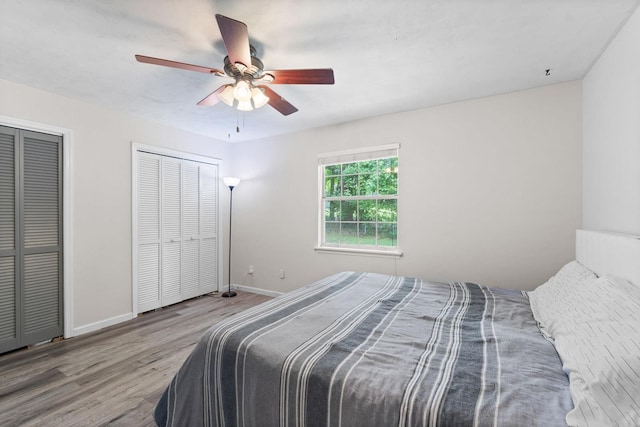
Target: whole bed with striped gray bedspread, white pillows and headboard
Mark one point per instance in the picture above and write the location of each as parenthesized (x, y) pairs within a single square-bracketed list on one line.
[(370, 349)]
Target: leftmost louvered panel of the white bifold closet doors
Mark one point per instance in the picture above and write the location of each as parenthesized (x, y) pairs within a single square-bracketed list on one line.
[(148, 225)]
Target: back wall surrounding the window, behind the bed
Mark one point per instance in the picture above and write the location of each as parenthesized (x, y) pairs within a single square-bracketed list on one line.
[(490, 191)]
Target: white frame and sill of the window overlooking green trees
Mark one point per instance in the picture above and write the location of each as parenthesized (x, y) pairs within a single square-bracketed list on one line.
[(347, 156)]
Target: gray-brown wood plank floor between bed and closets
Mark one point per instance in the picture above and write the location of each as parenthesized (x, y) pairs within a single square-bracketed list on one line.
[(114, 376)]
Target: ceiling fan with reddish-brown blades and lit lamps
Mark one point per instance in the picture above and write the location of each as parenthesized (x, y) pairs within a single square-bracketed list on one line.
[(247, 70)]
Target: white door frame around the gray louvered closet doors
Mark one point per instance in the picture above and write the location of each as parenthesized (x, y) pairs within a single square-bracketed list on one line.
[(67, 209)]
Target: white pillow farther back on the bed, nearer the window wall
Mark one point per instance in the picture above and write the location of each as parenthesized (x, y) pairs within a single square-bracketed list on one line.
[(561, 296)]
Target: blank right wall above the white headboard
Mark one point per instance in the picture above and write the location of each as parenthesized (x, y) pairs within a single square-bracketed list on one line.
[(611, 128)]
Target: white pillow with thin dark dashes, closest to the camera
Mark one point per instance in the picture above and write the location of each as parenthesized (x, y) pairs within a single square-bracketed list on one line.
[(600, 351)]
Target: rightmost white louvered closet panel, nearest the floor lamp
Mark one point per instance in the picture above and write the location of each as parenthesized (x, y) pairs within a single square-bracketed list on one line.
[(208, 228)]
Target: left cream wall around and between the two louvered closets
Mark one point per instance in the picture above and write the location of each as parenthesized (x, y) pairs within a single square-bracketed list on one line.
[(101, 153)]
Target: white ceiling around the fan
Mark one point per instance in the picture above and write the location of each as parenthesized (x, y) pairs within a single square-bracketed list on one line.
[(387, 56)]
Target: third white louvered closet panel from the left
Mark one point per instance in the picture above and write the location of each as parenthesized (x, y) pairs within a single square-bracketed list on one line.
[(190, 229)]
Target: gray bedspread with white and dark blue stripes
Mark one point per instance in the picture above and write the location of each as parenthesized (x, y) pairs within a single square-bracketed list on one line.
[(364, 349)]
